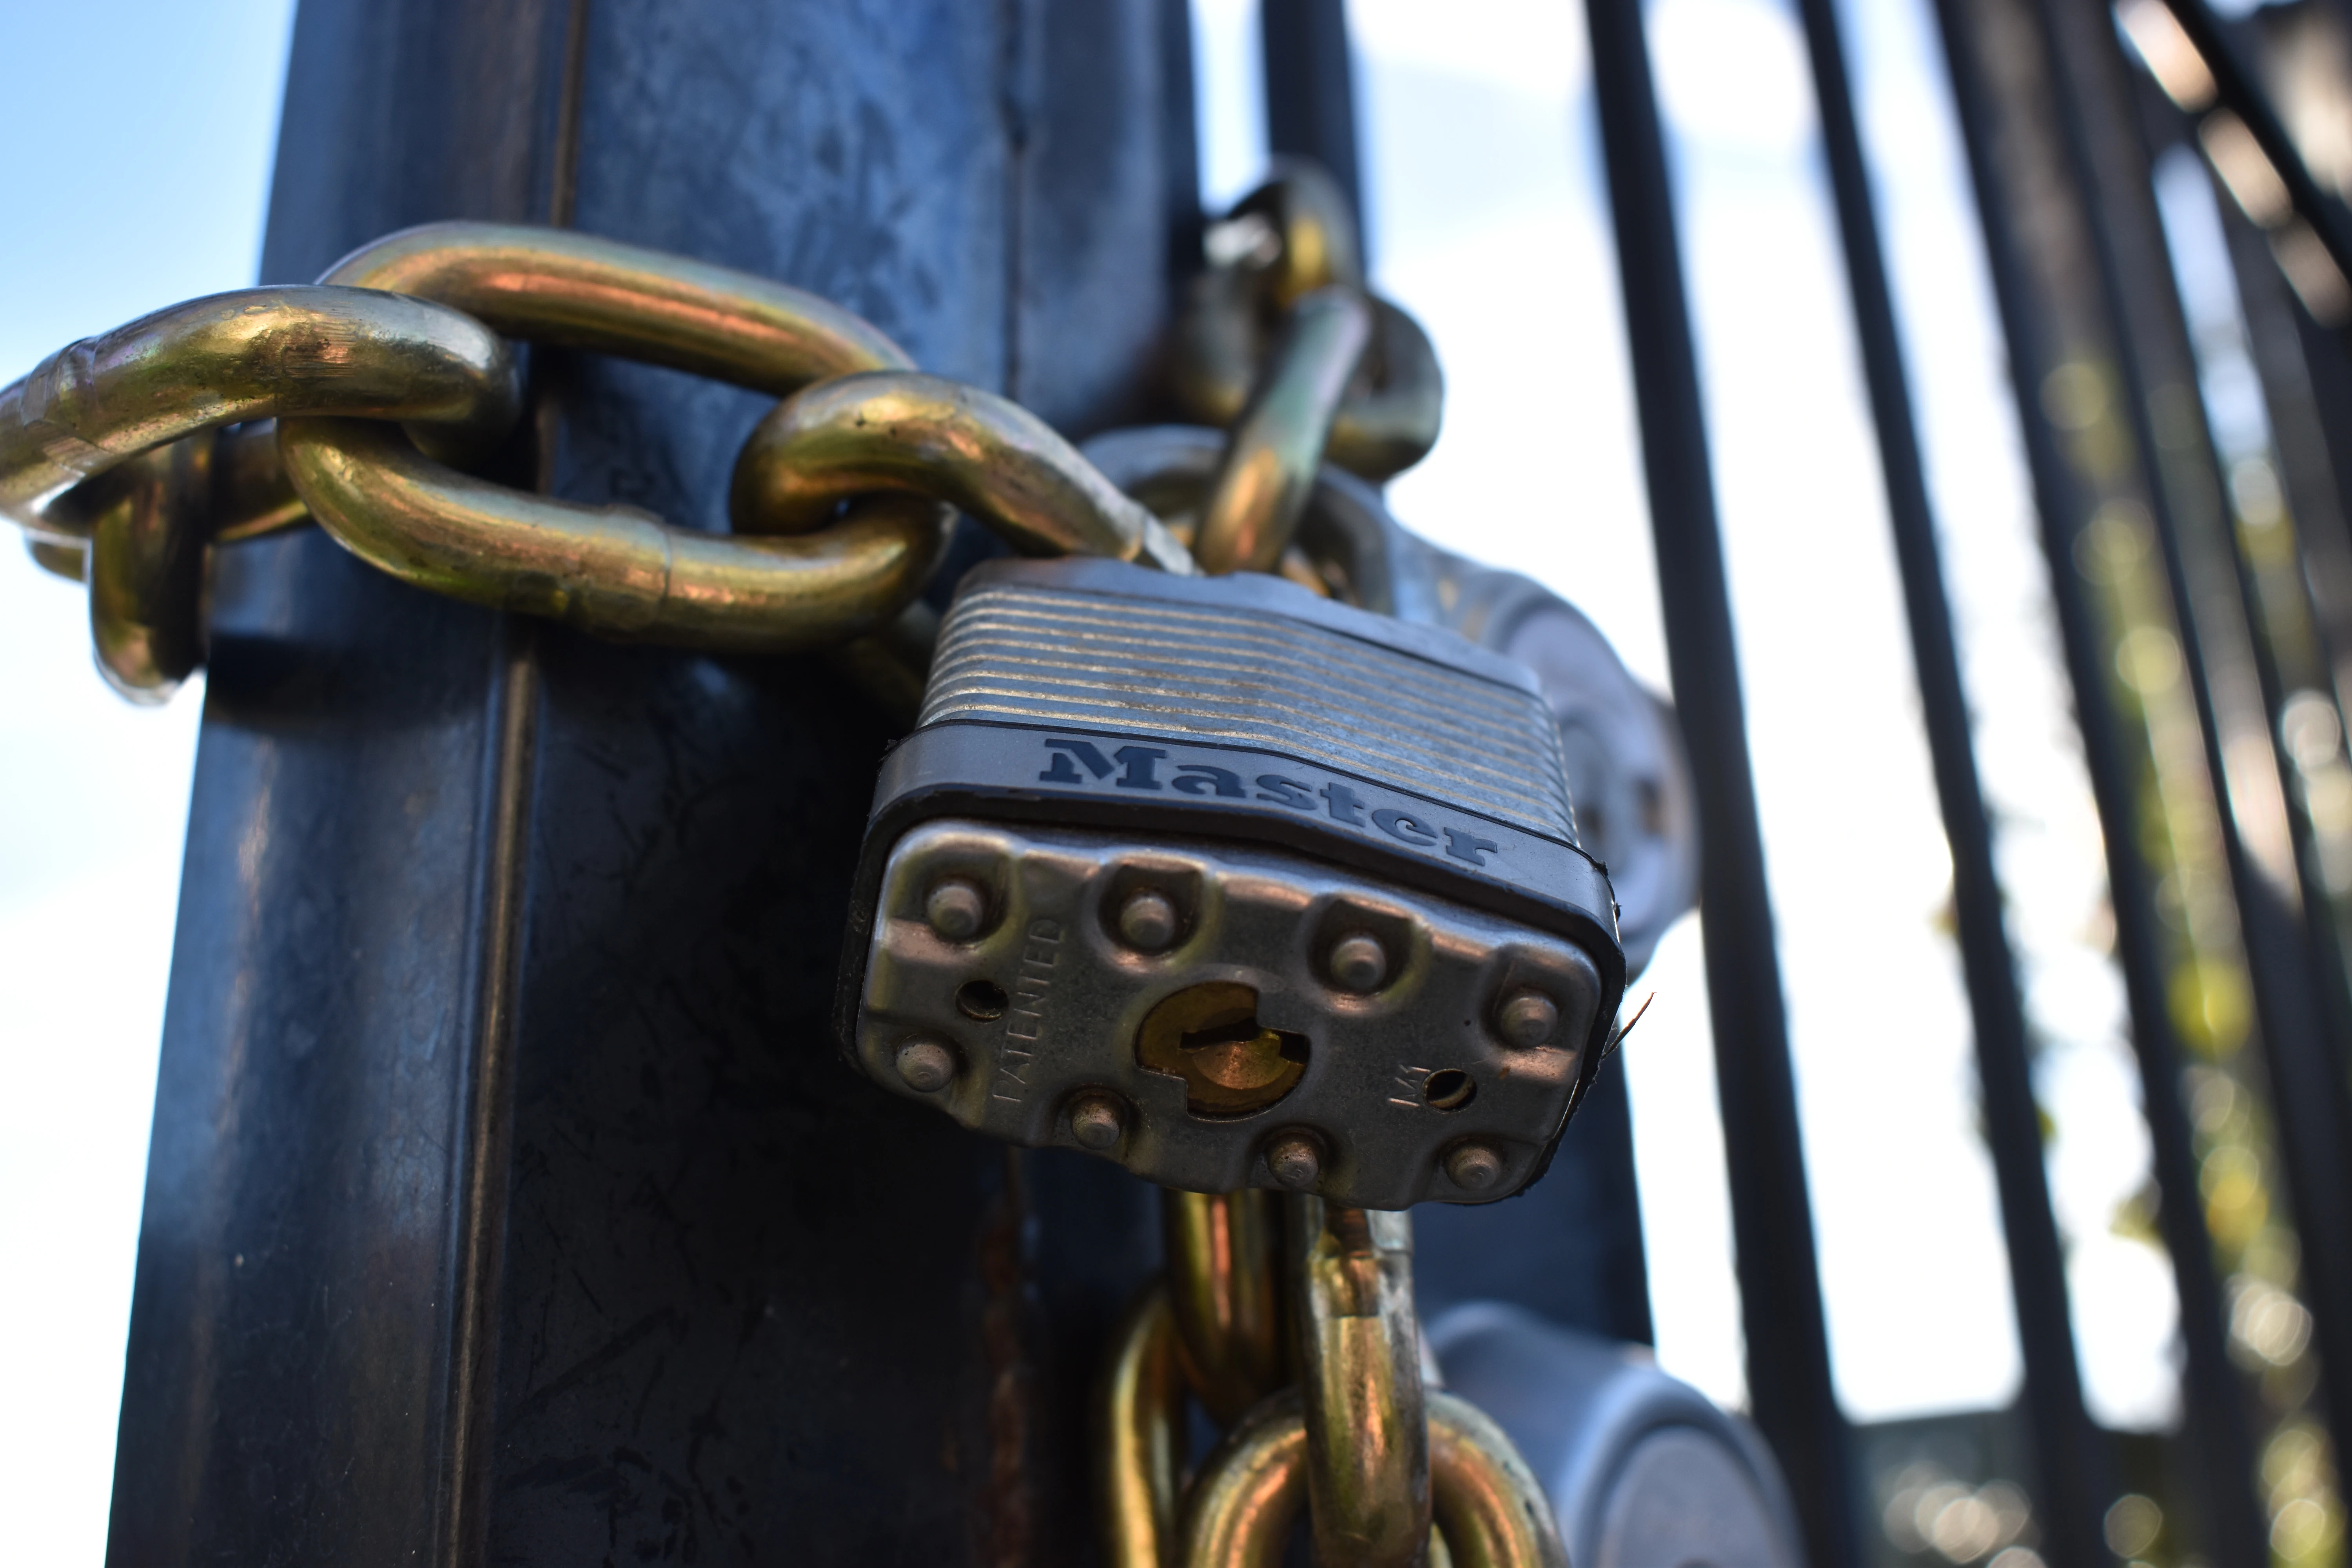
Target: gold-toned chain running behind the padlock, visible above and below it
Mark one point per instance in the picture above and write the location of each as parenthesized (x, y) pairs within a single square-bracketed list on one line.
[(1309, 1353)]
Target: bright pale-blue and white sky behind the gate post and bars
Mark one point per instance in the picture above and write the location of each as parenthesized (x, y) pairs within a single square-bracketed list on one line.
[(1488, 220)]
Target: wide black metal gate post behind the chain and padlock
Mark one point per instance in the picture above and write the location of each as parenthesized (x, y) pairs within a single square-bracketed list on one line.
[(507, 1198)]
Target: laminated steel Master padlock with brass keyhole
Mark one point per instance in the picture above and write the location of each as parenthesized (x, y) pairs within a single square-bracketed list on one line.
[(1236, 887)]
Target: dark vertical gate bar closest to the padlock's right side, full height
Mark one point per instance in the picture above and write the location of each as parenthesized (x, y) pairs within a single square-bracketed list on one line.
[(1782, 1311)]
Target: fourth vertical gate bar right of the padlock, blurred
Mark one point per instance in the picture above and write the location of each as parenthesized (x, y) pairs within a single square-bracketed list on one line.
[(2151, 337)]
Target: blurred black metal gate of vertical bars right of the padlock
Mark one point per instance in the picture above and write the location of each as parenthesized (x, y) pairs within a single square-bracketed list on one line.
[(2064, 126)]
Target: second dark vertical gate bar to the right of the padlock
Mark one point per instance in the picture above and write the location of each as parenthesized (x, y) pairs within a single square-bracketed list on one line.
[(2076, 1468)]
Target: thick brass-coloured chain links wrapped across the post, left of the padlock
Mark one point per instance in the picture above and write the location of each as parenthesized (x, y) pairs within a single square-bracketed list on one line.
[(114, 453)]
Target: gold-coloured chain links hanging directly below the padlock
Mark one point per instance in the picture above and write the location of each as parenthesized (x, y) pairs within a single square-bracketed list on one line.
[(1332, 1421)]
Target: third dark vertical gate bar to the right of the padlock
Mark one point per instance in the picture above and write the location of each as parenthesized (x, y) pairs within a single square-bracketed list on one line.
[(2214, 1398)]
